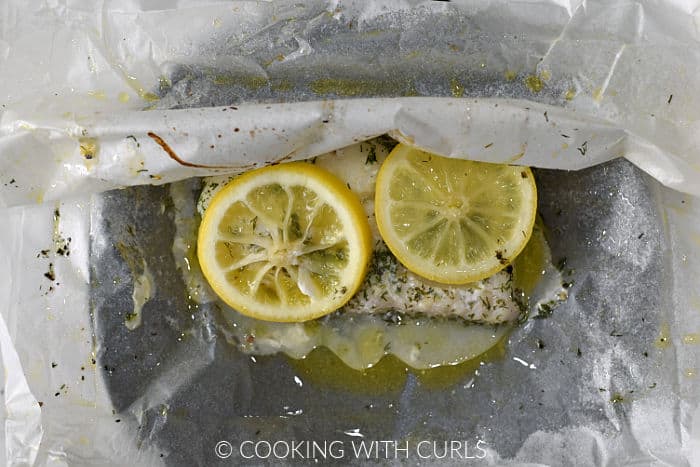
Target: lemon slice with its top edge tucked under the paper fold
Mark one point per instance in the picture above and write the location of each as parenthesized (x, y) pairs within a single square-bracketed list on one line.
[(451, 220)]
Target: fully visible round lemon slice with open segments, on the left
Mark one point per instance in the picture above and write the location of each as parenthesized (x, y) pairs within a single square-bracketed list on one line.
[(285, 243)]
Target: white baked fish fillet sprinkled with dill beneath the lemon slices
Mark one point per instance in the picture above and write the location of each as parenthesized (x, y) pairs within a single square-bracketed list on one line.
[(389, 289)]
